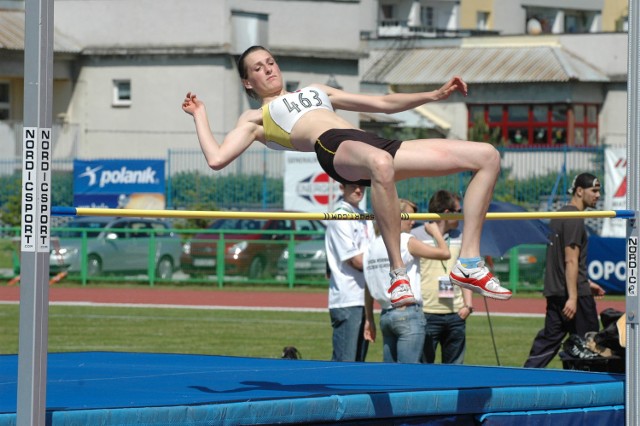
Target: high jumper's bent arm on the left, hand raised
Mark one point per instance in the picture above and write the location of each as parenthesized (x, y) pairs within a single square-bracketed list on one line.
[(235, 143)]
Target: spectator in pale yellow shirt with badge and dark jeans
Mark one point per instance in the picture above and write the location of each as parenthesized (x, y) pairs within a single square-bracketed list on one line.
[(446, 307)]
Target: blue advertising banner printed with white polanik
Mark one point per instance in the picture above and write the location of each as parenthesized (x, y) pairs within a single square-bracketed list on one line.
[(132, 184)]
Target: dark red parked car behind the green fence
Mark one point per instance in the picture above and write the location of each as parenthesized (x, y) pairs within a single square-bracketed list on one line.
[(250, 252)]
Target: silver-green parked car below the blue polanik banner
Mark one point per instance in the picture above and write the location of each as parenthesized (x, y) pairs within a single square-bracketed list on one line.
[(115, 245)]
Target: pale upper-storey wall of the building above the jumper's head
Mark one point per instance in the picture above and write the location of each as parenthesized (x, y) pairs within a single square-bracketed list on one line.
[(294, 24)]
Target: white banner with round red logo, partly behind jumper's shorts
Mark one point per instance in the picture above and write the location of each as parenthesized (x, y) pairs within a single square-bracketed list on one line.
[(308, 188)]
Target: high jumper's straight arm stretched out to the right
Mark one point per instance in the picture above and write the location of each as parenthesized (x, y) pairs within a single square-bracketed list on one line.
[(394, 102)]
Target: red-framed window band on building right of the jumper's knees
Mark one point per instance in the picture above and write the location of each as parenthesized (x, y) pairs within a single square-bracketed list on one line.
[(539, 124)]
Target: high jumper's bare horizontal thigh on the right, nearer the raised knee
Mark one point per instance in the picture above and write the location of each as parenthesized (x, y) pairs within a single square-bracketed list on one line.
[(437, 157)]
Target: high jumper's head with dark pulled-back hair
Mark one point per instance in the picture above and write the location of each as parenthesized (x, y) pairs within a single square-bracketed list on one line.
[(263, 74)]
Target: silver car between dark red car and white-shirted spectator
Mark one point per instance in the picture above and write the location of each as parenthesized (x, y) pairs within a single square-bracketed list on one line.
[(310, 258)]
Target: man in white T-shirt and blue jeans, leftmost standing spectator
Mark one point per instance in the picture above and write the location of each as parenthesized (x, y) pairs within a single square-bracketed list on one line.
[(346, 241)]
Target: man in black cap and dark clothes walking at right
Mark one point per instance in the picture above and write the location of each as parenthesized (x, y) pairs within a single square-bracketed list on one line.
[(571, 306)]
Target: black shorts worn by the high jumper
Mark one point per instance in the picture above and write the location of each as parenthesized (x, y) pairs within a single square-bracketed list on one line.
[(328, 143)]
